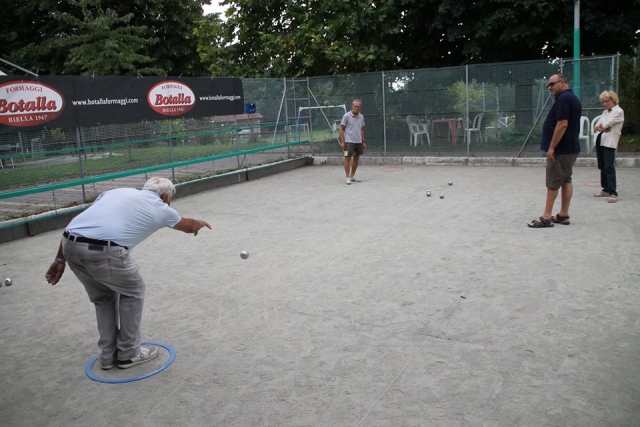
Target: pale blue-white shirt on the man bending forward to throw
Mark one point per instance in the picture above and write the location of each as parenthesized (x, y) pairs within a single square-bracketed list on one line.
[(125, 216)]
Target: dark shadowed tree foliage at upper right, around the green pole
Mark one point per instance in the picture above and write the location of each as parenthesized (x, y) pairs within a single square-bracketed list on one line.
[(517, 30)]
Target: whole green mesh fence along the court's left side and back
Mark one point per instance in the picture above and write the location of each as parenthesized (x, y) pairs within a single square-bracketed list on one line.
[(485, 110)]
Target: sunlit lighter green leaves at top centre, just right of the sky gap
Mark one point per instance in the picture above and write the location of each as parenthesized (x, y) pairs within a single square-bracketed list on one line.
[(277, 38)]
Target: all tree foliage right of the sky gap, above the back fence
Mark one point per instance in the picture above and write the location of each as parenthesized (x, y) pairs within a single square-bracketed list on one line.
[(318, 37)]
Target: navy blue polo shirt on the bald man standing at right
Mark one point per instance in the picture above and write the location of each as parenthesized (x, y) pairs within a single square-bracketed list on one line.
[(566, 107)]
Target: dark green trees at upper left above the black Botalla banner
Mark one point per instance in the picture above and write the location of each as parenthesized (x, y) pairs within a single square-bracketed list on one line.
[(40, 34)]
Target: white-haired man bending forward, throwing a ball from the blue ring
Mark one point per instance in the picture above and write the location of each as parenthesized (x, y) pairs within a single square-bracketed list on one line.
[(97, 244)]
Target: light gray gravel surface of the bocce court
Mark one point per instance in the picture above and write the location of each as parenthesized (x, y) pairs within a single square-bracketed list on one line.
[(361, 305)]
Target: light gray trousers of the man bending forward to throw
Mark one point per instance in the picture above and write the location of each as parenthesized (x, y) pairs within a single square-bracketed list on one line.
[(106, 273)]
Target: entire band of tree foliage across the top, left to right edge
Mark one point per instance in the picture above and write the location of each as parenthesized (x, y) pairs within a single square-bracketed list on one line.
[(276, 38)]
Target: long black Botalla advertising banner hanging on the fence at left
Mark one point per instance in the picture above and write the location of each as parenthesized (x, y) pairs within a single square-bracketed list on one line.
[(73, 101)]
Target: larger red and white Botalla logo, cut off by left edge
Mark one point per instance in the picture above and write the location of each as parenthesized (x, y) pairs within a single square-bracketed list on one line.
[(28, 103)]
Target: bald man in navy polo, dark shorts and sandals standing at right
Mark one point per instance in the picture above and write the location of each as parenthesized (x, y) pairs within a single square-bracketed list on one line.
[(560, 133)]
